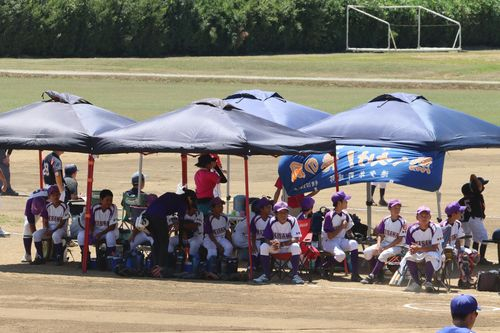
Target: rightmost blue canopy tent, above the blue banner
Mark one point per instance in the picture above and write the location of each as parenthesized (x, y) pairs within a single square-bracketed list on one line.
[(409, 122)]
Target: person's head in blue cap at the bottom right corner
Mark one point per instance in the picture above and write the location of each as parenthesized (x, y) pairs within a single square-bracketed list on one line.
[(464, 310)]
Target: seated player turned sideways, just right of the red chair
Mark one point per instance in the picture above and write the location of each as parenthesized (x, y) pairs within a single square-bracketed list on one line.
[(337, 224)]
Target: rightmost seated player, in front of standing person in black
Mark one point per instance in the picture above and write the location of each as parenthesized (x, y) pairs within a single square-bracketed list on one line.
[(466, 257)]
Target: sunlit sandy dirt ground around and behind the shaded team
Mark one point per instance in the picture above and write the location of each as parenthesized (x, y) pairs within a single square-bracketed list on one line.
[(62, 299)]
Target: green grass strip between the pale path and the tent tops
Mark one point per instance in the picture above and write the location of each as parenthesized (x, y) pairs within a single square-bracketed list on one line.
[(144, 99)]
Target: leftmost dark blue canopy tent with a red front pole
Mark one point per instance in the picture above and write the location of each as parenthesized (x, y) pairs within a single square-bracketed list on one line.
[(63, 122)]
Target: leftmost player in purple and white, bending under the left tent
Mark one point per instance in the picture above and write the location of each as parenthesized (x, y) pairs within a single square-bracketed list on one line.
[(34, 207)]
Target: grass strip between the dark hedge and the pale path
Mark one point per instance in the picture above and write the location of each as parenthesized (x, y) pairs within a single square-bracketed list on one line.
[(476, 65)]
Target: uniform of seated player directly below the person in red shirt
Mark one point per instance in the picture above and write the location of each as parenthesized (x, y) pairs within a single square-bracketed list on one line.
[(217, 226)]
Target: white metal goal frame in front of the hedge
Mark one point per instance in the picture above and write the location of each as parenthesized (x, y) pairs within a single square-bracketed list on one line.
[(391, 43)]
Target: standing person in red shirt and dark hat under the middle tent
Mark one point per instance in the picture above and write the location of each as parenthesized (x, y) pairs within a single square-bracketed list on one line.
[(206, 179)]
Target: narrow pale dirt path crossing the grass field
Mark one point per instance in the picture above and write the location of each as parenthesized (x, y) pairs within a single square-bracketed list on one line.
[(245, 78)]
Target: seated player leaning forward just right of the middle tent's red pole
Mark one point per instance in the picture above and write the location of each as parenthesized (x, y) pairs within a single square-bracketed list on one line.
[(282, 235)]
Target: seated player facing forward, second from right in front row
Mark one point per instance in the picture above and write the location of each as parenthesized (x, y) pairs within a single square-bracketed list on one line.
[(424, 239)]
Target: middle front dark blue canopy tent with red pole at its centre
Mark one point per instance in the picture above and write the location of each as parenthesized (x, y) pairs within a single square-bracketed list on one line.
[(212, 126)]
